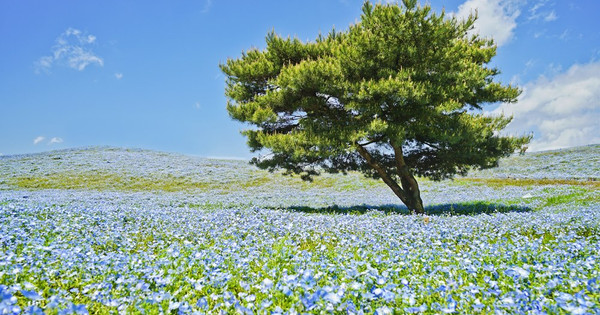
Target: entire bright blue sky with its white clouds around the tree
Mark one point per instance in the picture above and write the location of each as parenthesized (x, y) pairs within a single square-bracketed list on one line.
[(145, 74)]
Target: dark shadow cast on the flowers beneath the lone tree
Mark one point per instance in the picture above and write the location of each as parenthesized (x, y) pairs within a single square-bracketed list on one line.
[(465, 208)]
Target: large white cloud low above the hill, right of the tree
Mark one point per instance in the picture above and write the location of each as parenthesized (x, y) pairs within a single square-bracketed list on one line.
[(563, 111)]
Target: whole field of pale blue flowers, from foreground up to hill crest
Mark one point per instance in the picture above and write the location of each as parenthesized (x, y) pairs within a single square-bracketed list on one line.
[(109, 230)]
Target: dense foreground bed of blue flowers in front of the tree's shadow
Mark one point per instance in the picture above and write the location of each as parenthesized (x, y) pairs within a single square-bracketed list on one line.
[(79, 256)]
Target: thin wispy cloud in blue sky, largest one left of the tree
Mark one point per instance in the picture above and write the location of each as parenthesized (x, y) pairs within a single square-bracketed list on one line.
[(73, 49)]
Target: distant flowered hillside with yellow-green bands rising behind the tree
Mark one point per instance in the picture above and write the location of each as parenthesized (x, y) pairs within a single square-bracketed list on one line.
[(231, 183)]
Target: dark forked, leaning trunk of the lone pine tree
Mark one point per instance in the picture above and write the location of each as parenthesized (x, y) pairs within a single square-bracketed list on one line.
[(409, 192)]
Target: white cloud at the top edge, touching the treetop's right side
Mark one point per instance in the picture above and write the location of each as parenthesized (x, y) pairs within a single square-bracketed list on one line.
[(496, 18)]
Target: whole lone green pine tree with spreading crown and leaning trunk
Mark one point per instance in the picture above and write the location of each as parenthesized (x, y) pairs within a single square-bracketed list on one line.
[(399, 94)]
